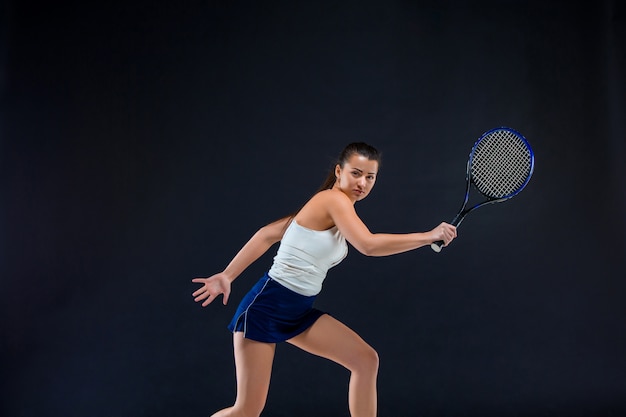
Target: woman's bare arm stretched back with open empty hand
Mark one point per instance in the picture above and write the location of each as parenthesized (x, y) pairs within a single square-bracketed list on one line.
[(258, 244)]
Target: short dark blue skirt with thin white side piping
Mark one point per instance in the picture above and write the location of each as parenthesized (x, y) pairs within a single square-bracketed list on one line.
[(271, 313)]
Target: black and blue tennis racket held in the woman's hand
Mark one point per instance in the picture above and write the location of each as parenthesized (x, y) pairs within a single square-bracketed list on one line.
[(499, 167)]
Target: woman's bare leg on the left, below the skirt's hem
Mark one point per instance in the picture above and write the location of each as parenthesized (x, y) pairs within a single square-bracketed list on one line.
[(253, 363)]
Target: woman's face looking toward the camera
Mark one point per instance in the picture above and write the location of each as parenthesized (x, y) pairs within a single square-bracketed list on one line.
[(357, 177)]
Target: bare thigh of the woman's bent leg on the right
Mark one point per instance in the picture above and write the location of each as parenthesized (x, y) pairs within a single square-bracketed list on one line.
[(331, 339)]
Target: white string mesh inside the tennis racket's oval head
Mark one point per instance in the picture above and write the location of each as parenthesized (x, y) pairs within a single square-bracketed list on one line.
[(501, 164)]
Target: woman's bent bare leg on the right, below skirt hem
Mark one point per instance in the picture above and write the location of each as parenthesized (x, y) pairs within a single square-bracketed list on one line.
[(331, 339)]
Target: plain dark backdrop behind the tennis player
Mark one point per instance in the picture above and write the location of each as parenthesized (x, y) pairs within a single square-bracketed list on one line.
[(143, 143)]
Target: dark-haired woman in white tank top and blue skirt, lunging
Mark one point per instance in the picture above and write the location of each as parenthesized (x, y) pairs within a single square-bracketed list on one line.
[(279, 307)]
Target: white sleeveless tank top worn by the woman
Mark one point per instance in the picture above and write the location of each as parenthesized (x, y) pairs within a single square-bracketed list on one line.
[(305, 256)]
